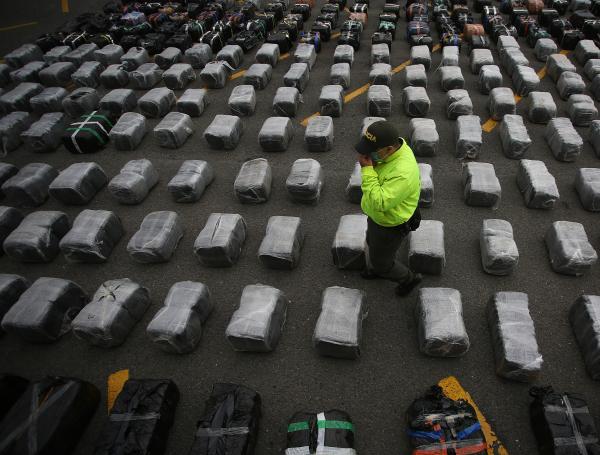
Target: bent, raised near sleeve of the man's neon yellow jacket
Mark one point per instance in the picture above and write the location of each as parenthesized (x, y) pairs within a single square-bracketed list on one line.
[(386, 195)]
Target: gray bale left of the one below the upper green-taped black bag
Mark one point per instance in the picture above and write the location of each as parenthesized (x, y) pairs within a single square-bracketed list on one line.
[(29, 187)]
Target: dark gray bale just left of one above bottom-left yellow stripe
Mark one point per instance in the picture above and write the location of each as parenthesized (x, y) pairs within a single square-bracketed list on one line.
[(44, 312)]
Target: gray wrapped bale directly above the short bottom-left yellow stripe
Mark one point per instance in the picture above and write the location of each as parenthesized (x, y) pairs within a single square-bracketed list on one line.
[(110, 316)]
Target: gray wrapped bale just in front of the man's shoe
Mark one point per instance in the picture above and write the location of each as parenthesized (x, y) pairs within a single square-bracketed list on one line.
[(441, 328)]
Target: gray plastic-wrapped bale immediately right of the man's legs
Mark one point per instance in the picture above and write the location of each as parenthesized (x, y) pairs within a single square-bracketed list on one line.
[(426, 251)]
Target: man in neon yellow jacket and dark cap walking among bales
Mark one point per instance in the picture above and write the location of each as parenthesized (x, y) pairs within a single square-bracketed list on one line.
[(391, 187)]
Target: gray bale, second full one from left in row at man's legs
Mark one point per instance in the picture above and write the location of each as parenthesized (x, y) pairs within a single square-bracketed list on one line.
[(93, 236)]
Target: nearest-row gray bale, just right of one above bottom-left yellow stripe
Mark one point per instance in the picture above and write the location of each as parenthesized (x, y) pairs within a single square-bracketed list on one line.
[(177, 327)]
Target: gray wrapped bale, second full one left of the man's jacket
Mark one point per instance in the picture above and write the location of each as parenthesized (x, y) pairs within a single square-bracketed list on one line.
[(253, 182)]
